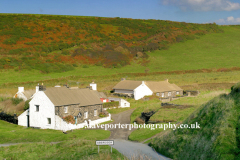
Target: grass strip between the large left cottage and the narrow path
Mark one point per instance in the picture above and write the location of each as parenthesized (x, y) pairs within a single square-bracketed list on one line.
[(12, 133)]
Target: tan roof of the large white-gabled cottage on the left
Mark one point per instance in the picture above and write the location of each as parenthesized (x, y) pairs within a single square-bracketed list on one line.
[(61, 96)]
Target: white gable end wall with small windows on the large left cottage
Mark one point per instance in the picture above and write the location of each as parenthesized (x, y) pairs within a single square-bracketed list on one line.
[(46, 110)]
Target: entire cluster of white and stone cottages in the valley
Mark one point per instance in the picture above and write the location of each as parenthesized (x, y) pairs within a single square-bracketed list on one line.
[(48, 106)]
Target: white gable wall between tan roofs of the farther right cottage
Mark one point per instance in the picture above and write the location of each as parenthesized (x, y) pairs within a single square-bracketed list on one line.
[(142, 91)]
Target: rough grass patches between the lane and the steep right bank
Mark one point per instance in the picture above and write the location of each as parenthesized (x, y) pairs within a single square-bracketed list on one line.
[(174, 115)]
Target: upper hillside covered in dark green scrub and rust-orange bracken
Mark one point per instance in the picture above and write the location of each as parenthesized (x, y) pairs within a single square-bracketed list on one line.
[(63, 42)]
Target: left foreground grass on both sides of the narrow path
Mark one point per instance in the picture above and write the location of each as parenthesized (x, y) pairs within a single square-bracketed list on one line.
[(78, 144)]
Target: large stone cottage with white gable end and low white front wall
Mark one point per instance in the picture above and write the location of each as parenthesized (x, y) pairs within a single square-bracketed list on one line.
[(49, 107)]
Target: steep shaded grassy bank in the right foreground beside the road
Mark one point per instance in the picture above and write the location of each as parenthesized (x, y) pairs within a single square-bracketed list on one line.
[(217, 138)]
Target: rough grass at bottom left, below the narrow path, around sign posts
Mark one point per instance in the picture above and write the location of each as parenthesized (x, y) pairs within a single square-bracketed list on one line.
[(72, 149)]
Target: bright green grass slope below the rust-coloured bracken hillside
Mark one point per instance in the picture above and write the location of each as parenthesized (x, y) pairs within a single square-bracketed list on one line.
[(210, 51)]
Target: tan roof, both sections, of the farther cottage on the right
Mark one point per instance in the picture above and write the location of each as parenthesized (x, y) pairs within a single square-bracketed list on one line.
[(161, 86)]
